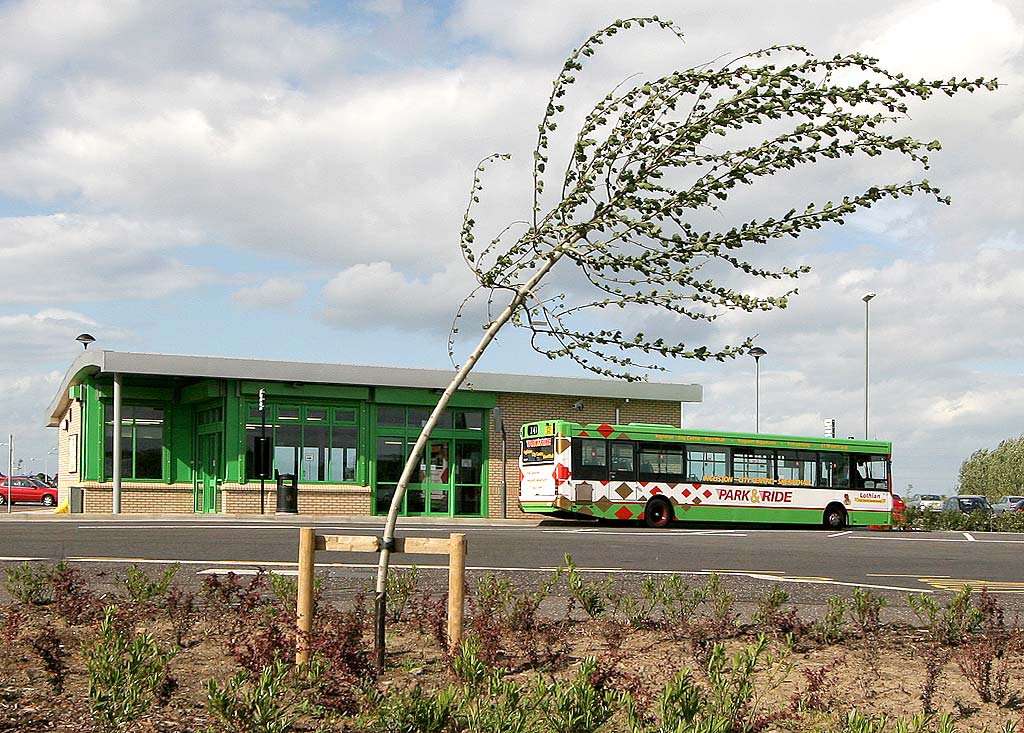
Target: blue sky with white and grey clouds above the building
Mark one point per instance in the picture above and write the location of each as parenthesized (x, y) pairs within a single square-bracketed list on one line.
[(287, 181)]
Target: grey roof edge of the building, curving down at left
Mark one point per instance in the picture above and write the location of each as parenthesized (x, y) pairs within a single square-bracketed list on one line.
[(127, 363)]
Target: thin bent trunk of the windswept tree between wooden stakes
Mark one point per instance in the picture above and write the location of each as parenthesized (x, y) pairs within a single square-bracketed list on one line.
[(414, 456)]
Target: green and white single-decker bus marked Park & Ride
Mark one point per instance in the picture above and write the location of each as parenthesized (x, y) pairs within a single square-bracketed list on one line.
[(660, 475)]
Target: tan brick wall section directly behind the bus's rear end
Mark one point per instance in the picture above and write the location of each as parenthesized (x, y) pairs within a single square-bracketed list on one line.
[(520, 409)]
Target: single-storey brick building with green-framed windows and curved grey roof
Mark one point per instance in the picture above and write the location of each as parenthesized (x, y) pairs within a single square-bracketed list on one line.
[(189, 429)]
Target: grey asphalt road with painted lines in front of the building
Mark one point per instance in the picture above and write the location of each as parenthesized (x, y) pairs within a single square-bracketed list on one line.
[(812, 564)]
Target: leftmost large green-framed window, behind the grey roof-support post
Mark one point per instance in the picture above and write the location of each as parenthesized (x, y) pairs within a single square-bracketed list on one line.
[(142, 443)]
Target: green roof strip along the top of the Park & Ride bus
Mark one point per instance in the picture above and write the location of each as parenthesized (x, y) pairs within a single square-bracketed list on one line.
[(669, 434)]
